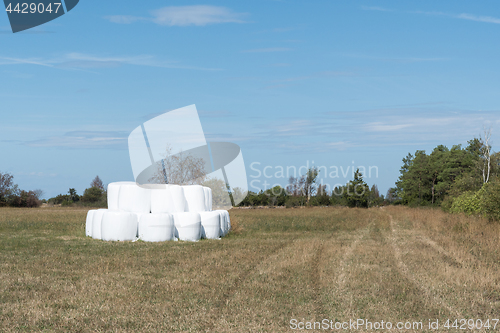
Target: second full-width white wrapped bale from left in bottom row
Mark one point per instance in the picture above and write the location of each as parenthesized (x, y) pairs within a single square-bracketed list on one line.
[(156, 227)]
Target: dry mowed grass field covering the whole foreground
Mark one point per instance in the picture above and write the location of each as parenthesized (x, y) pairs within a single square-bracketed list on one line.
[(394, 264)]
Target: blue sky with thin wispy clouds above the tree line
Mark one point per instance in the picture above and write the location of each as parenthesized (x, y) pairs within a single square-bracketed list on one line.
[(336, 83)]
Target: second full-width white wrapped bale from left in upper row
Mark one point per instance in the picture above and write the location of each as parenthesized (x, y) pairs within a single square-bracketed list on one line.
[(167, 199)]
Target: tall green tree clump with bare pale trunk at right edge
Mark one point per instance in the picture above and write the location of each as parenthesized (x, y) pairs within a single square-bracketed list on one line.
[(460, 179)]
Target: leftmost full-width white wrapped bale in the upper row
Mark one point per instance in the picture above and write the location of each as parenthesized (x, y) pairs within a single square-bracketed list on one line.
[(134, 199)]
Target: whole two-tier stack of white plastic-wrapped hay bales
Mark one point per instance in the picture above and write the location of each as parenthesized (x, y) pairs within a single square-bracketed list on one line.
[(157, 213)]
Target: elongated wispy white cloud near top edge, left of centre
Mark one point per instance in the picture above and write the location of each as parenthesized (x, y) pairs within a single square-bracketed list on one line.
[(182, 16)]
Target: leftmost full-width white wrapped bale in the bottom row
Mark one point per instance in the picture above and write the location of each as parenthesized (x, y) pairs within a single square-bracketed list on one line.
[(118, 226)]
